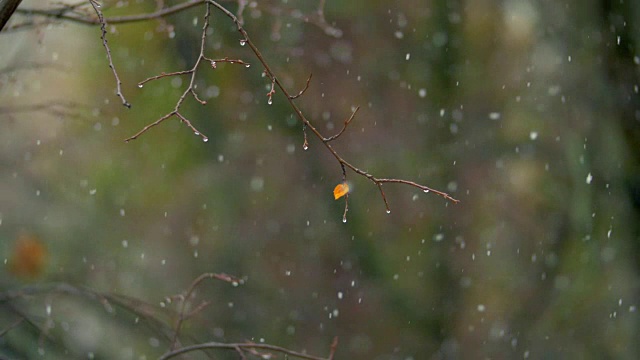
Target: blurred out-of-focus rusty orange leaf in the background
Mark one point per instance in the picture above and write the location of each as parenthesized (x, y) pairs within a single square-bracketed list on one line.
[(28, 258)]
